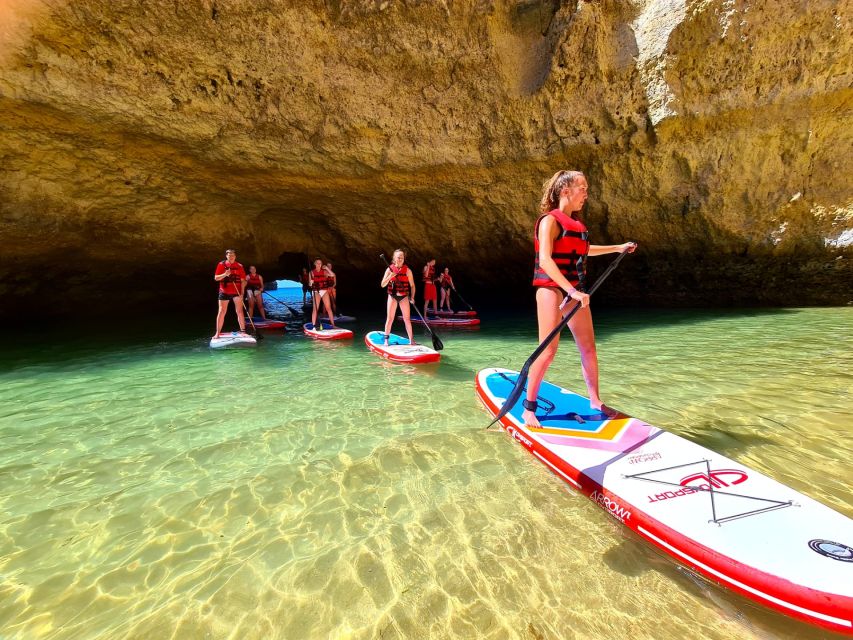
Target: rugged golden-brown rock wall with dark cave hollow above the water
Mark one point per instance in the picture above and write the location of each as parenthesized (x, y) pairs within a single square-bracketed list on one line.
[(138, 140)]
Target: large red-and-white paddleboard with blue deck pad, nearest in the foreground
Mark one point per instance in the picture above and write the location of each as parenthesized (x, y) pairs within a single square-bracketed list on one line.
[(727, 522)]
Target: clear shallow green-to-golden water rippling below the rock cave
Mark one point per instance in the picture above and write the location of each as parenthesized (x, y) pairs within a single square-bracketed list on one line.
[(156, 489)]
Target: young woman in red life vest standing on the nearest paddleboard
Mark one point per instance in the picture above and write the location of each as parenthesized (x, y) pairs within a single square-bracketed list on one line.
[(561, 245)]
